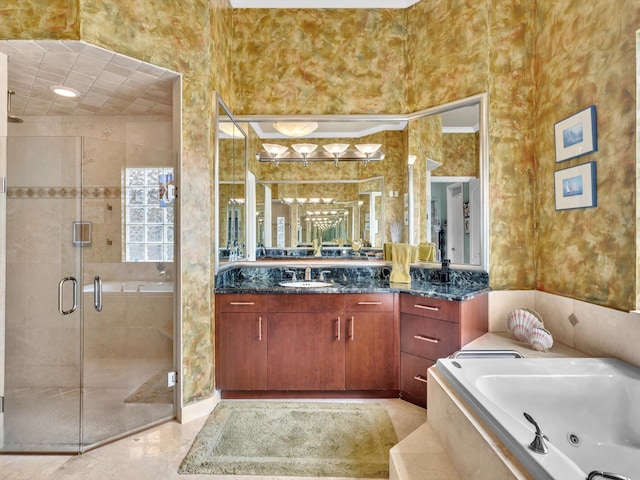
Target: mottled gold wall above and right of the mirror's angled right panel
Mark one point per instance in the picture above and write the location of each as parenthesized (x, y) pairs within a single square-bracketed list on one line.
[(459, 48)]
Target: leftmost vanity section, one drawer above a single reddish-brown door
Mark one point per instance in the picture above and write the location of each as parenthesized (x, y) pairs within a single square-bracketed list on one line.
[(241, 342)]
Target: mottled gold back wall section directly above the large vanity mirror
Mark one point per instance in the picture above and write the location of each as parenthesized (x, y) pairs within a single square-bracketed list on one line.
[(319, 61)]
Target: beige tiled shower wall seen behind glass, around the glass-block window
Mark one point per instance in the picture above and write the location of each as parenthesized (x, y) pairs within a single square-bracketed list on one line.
[(42, 203)]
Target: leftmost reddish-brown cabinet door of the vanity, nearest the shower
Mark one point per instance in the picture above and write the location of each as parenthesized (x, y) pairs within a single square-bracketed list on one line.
[(242, 351)]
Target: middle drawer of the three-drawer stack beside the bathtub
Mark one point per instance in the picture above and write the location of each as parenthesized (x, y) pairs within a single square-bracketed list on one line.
[(427, 337)]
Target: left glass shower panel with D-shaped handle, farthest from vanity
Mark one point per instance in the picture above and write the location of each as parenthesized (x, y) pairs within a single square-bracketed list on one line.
[(43, 328)]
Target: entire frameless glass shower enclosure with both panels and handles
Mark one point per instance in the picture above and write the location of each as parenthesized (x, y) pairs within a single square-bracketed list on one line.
[(89, 306)]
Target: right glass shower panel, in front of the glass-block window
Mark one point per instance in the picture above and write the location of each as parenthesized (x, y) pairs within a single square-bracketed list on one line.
[(128, 326)]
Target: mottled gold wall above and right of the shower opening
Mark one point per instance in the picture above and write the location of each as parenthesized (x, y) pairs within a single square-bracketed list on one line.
[(191, 37)]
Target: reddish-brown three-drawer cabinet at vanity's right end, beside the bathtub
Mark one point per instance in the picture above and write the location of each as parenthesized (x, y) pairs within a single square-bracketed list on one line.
[(432, 328)]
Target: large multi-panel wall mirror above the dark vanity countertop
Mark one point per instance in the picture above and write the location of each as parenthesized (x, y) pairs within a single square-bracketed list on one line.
[(363, 179)]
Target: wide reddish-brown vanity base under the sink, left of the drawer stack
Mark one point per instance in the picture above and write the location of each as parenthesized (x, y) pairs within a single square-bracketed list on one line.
[(307, 342)]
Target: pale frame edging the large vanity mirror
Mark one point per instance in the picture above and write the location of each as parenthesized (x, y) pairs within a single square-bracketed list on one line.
[(482, 99)]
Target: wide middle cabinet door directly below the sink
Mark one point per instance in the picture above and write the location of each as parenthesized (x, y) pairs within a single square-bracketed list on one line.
[(306, 351)]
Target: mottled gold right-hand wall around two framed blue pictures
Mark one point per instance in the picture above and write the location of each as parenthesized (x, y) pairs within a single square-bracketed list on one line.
[(586, 56)]
